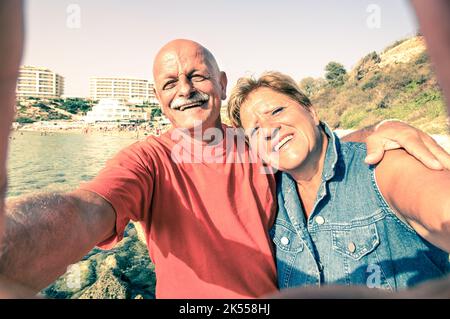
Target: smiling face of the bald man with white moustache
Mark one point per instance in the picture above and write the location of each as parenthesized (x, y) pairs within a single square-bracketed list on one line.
[(189, 87)]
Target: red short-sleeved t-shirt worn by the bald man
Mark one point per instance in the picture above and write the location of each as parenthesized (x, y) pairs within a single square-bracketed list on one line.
[(206, 222)]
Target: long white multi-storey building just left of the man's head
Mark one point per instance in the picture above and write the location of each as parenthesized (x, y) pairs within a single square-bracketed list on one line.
[(123, 89)]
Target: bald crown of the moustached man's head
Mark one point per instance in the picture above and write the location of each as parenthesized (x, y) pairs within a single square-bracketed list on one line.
[(183, 47)]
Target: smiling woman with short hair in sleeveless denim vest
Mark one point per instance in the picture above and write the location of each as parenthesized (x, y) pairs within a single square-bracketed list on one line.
[(339, 220)]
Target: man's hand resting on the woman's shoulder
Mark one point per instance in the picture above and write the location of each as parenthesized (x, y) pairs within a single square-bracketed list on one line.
[(395, 134)]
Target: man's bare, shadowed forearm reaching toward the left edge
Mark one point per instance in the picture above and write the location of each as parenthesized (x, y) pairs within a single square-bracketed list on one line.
[(46, 233)]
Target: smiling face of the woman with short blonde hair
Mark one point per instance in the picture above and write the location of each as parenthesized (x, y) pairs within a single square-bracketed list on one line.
[(283, 132)]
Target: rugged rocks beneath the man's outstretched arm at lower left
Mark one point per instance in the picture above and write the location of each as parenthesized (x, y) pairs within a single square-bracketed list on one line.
[(122, 272)]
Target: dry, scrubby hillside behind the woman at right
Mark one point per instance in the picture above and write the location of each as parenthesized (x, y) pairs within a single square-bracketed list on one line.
[(396, 83)]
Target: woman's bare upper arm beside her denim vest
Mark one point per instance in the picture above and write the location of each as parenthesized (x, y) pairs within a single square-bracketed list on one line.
[(420, 195)]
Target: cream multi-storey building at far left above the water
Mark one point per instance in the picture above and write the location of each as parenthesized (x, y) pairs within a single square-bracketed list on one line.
[(39, 83)]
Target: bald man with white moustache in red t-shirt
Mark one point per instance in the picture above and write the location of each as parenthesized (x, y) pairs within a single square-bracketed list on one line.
[(206, 222)]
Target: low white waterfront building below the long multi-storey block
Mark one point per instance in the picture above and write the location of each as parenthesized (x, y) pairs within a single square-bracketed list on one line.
[(110, 110)]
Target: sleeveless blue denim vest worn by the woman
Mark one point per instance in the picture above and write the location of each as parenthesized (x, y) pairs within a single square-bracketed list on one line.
[(352, 237)]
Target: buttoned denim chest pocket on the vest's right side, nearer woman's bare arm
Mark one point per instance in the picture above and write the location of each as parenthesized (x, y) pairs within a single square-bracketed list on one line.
[(355, 242)]
